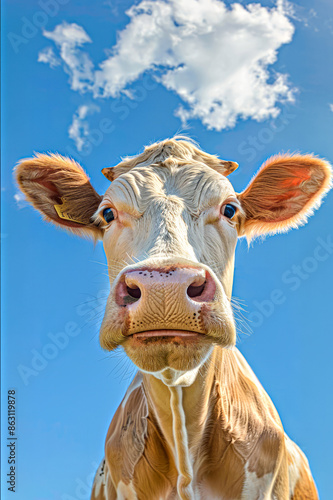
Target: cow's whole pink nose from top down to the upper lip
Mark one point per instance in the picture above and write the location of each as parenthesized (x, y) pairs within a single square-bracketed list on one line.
[(165, 299)]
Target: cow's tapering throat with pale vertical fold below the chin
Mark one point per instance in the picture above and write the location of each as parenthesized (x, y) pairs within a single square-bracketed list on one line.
[(181, 408)]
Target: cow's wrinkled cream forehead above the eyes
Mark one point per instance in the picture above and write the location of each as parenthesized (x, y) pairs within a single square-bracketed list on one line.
[(196, 185)]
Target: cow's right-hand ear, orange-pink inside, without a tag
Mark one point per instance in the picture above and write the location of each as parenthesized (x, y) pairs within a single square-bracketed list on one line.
[(283, 194)]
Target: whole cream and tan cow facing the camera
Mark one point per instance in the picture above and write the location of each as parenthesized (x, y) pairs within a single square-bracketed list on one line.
[(195, 423)]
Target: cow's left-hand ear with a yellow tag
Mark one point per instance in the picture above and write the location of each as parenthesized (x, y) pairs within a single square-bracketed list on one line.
[(59, 188)]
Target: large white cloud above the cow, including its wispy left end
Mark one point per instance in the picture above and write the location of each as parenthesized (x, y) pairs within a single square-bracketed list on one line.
[(216, 57)]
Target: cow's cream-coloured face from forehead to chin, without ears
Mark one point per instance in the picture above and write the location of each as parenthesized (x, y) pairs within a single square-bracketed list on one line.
[(176, 228)]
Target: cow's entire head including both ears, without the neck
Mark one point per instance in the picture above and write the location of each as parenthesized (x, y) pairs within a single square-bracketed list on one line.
[(169, 222)]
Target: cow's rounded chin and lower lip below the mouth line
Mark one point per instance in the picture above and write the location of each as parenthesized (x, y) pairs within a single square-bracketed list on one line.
[(180, 352)]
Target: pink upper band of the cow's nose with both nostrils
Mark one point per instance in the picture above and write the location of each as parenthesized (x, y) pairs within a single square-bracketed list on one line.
[(193, 284)]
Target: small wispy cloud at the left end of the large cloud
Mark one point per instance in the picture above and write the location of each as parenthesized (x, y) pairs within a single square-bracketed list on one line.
[(69, 38)]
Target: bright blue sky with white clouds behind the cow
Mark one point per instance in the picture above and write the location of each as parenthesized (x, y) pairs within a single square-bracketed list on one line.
[(65, 90)]
